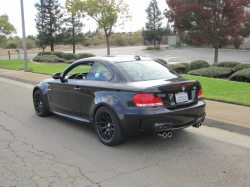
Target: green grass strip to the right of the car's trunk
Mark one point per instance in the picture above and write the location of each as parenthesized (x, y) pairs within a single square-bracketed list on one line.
[(224, 90)]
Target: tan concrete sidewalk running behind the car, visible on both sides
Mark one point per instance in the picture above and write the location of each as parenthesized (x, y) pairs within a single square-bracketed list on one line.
[(222, 115)]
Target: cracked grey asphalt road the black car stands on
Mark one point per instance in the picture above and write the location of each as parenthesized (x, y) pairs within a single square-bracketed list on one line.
[(54, 151)]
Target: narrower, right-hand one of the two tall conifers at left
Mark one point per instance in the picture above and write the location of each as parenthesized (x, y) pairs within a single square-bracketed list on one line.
[(73, 22)]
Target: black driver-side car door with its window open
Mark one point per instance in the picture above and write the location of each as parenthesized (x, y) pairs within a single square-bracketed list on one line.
[(66, 98)]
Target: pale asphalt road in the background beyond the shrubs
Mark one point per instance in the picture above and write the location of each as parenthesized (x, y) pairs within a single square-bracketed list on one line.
[(175, 55)]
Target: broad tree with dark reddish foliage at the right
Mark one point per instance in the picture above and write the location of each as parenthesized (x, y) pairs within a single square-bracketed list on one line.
[(207, 22)]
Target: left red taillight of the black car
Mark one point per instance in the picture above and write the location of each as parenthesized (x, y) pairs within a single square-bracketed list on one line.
[(147, 100)]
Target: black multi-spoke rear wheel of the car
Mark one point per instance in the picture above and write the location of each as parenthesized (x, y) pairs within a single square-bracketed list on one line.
[(107, 127)]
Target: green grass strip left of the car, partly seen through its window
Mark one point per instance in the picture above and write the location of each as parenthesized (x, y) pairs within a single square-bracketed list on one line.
[(36, 68)]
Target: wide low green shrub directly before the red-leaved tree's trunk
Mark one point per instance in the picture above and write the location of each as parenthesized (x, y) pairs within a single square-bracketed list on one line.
[(216, 72)]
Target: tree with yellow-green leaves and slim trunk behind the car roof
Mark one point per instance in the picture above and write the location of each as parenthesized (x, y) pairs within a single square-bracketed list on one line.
[(107, 14)]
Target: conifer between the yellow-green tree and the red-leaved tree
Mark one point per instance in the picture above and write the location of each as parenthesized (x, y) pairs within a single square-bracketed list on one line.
[(153, 31)]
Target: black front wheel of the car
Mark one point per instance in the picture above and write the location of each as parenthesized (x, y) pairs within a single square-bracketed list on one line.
[(39, 104)]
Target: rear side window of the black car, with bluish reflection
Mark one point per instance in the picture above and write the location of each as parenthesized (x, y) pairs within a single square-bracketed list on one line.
[(99, 73)]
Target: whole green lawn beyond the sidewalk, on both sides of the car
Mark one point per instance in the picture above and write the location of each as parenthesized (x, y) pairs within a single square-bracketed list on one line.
[(215, 89)]
